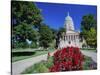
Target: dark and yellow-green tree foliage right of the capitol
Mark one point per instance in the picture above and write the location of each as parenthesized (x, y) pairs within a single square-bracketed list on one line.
[(89, 27)]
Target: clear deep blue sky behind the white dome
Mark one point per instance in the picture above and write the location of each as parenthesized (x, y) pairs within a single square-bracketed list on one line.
[(54, 14)]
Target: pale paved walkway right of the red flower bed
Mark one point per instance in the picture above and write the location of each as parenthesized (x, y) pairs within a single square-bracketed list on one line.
[(91, 54)]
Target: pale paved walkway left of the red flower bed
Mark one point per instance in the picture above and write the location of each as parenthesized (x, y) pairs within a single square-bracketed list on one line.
[(20, 66)]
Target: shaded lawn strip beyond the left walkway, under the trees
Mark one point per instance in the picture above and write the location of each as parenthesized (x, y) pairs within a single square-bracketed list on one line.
[(24, 55)]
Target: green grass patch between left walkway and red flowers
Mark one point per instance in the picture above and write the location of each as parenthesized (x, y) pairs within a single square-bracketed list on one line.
[(41, 67)]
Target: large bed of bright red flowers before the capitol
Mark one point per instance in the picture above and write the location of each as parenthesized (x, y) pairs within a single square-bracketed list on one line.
[(67, 59)]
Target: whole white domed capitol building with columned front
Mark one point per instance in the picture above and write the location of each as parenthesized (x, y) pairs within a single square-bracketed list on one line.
[(70, 37)]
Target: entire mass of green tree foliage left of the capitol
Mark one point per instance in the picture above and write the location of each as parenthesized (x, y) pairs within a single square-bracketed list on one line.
[(27, 25)]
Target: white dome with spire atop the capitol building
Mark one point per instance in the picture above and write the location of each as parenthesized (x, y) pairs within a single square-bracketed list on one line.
[(69, 25)]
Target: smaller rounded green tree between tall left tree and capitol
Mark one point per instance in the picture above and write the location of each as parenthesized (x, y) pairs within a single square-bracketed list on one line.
[(46, 36)]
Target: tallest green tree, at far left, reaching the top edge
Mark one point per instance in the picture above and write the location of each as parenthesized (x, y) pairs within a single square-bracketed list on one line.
[(26, 20)]
